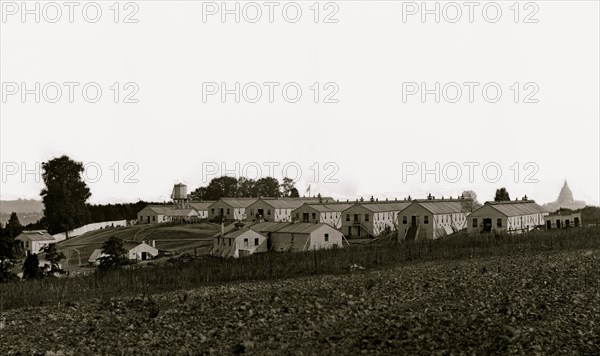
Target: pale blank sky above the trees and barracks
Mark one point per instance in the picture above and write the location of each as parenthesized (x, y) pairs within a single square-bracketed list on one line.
[(371, 132)]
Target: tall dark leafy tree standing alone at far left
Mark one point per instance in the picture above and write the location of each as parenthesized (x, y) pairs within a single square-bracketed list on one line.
[(65, 195)]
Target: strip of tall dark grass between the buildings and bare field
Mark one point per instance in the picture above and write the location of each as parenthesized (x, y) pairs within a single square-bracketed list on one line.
[(207, 270)]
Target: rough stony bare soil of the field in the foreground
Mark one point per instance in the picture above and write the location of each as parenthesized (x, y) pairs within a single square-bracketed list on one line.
[(543, 304)]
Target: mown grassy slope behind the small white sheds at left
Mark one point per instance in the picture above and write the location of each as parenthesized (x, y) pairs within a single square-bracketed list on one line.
[(178, 238)]
